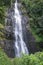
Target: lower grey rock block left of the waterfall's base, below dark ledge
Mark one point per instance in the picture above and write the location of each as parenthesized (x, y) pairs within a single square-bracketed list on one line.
[(8, 47)]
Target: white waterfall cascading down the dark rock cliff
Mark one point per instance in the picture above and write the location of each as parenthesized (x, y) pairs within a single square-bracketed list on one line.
[(20, 46)]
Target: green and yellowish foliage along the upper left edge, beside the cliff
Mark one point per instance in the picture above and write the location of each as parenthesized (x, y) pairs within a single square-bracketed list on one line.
[(4, 4)]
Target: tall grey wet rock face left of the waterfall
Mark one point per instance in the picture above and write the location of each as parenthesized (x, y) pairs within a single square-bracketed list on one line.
[(8, 44)]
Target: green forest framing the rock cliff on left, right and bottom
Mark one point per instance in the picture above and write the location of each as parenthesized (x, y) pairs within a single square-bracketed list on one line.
[(34, 9)]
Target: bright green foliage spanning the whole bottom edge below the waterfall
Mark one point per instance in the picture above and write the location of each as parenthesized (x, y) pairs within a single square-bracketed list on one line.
[(33, 59)]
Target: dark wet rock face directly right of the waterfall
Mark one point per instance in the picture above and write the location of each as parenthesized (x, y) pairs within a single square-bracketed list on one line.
[(27, 35)]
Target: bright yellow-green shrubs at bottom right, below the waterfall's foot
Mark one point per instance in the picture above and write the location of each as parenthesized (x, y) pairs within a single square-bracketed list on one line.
[(33, 59)]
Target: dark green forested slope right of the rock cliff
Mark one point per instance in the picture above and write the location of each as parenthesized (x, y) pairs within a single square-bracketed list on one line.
[(34, 10)]
